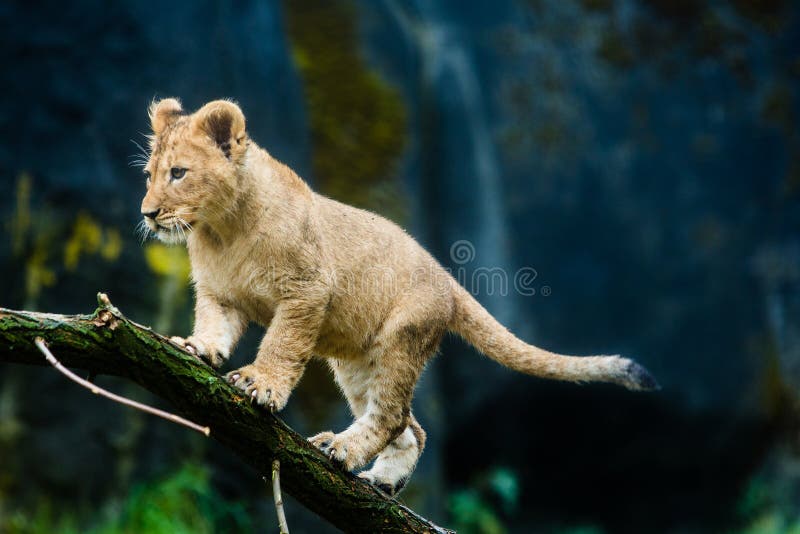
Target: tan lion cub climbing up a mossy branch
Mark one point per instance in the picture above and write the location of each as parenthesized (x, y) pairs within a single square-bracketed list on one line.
[(324, 278)]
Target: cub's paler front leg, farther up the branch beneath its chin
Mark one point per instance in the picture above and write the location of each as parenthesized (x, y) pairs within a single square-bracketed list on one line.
[(217, 329)]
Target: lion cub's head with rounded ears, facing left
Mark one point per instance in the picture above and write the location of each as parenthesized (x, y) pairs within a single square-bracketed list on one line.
[(192, 172)]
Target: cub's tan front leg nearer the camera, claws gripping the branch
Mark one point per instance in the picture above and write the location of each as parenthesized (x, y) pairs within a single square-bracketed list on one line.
[(282, 357)]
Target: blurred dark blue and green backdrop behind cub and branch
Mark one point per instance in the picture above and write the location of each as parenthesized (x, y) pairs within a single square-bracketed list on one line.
[(639, 160)]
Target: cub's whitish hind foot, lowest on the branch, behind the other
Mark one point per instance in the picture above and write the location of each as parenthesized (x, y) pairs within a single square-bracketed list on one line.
[(395, 464)]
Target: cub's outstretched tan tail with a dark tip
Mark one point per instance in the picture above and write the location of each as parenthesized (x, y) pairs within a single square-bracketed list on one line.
[(472, 322)]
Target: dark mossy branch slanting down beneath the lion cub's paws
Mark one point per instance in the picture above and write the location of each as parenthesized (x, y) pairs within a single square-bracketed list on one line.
[(106, 342)]
